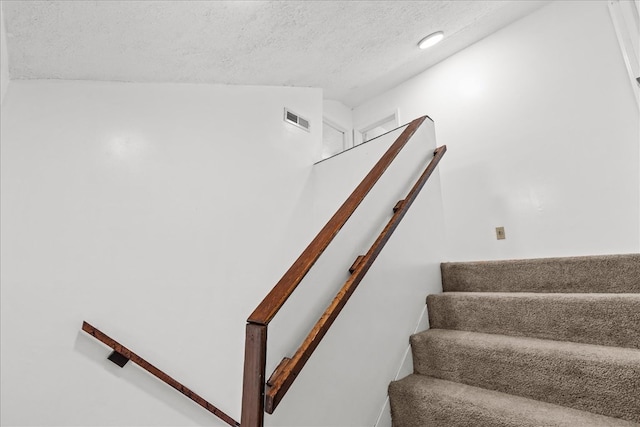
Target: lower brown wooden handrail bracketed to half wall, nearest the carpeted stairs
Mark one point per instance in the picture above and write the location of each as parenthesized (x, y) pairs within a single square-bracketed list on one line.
[(289, 368)]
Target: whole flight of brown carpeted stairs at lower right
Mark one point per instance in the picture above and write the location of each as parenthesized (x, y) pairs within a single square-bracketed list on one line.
[(542, 342)]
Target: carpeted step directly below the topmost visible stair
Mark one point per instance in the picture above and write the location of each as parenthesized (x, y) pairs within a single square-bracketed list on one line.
[(613, 320)]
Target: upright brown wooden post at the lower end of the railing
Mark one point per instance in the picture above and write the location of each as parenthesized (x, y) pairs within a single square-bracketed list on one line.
[(253, 384)]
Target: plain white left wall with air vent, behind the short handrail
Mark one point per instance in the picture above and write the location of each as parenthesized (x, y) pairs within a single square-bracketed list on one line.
[(162, 214)]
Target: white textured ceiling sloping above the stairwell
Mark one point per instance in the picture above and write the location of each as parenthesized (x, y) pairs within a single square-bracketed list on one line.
[(353, 50)]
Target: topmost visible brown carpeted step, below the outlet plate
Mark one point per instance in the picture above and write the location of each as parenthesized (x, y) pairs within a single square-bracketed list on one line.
[(606, 274)]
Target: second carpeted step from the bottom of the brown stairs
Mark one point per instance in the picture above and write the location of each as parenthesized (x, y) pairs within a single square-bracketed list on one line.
[(589, 378)]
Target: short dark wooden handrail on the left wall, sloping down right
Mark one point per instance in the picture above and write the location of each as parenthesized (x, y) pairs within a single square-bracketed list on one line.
[(127, 355)]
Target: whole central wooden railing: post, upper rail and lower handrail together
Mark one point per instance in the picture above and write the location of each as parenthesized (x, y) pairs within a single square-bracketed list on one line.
[(254, 397)]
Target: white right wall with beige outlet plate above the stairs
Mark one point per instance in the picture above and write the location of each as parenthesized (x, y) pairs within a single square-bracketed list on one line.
[(542, 131)]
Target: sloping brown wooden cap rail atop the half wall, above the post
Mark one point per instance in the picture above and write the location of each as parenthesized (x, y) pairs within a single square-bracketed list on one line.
[(275, 299)]
